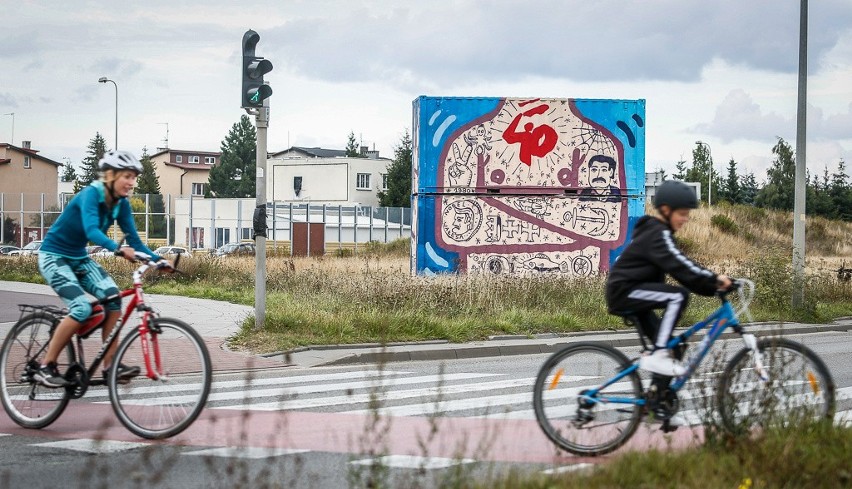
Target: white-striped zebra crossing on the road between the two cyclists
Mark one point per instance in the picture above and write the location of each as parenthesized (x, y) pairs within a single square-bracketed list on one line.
[(399, 393)]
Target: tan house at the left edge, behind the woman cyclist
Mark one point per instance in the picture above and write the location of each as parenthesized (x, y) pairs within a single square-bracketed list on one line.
[(28, 186)]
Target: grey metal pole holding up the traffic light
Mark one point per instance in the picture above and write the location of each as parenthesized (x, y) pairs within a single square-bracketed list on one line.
[(262, 122)]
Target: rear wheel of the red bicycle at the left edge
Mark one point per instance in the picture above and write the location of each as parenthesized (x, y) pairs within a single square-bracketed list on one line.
[(29, 404)]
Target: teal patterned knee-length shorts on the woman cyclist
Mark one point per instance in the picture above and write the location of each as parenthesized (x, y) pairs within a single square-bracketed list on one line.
[(71, 278)]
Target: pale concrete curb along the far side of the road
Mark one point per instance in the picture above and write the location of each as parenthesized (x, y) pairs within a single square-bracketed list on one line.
[(541, 344)]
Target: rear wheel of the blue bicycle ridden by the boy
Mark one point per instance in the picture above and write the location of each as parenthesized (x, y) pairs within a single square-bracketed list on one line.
[(582, 427)]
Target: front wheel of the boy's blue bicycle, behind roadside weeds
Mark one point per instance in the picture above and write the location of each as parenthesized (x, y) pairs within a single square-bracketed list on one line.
[(799, 388)]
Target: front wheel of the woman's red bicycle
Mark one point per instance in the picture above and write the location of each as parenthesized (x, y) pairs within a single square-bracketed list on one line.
[(166, 402)]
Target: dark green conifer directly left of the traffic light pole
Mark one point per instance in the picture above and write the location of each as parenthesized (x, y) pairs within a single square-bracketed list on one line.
[(235, 174)]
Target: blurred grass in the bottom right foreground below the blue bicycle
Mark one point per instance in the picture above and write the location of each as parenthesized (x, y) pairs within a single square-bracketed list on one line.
[(810, 456)]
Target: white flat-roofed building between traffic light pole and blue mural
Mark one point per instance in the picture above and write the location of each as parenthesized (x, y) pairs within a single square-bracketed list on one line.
[(320, 175)]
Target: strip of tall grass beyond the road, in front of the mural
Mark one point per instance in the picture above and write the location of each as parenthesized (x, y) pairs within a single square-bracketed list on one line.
[(374, 298)]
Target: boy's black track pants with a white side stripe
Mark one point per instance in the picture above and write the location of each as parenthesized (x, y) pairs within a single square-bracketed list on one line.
[(645, 298)]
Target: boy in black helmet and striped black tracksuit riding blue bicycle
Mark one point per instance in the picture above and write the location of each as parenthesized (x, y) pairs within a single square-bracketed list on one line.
[(636, 283)]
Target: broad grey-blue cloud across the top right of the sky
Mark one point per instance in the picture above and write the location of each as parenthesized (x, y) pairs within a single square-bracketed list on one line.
[(462, 42)]
